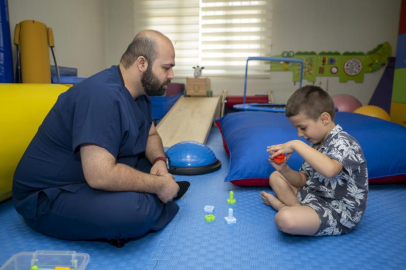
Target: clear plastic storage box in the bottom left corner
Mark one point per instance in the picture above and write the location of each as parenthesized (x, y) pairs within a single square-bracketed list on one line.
[(47, 260)]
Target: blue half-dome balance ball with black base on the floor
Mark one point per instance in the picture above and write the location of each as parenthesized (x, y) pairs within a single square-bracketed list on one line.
[(190, 158)]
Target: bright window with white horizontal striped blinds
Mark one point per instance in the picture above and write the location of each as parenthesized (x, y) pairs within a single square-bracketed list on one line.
[(216, 34)]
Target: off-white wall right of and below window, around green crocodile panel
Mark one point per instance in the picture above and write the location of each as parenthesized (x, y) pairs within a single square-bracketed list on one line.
[(323, 25)]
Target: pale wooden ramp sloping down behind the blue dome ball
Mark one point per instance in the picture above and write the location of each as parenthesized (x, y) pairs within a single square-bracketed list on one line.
[(190, 119)]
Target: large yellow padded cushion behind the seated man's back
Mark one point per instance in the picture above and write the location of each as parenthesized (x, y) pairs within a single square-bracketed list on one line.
[(23, 107)]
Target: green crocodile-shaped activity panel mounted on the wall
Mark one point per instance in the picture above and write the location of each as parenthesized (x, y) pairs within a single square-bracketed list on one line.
[(347, 66)]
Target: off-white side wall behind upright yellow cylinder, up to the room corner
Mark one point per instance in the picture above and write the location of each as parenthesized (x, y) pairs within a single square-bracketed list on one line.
[(78, 26)]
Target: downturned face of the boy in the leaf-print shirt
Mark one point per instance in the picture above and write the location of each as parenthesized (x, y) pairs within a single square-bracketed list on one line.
[(314, 131)]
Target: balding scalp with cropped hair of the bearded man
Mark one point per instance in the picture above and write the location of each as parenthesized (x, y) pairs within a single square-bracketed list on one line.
[(144, 44)]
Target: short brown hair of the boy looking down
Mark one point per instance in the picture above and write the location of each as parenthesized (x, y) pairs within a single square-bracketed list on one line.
[(310, 100)]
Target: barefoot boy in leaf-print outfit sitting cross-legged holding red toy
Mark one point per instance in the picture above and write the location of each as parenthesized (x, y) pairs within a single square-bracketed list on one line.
[(328, 195)]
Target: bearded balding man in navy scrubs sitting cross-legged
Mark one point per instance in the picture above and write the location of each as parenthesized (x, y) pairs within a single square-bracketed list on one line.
[(96, 168)]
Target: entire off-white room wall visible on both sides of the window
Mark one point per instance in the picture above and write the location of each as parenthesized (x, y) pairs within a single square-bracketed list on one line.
[(93, 34)]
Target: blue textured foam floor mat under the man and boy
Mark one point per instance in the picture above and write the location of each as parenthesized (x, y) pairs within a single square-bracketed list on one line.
[(254, 242)]
